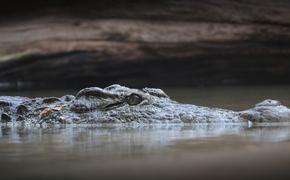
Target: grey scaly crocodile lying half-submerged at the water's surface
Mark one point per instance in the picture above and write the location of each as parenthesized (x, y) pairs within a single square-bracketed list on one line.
[(119, 104)]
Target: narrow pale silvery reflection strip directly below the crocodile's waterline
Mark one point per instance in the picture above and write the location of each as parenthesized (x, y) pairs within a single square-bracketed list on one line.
[(155, 134)]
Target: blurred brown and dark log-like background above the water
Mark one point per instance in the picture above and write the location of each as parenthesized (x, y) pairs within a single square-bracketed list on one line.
[(151, 43)]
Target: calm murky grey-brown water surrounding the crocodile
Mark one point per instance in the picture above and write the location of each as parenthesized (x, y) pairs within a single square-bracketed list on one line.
[(176, 151)]
